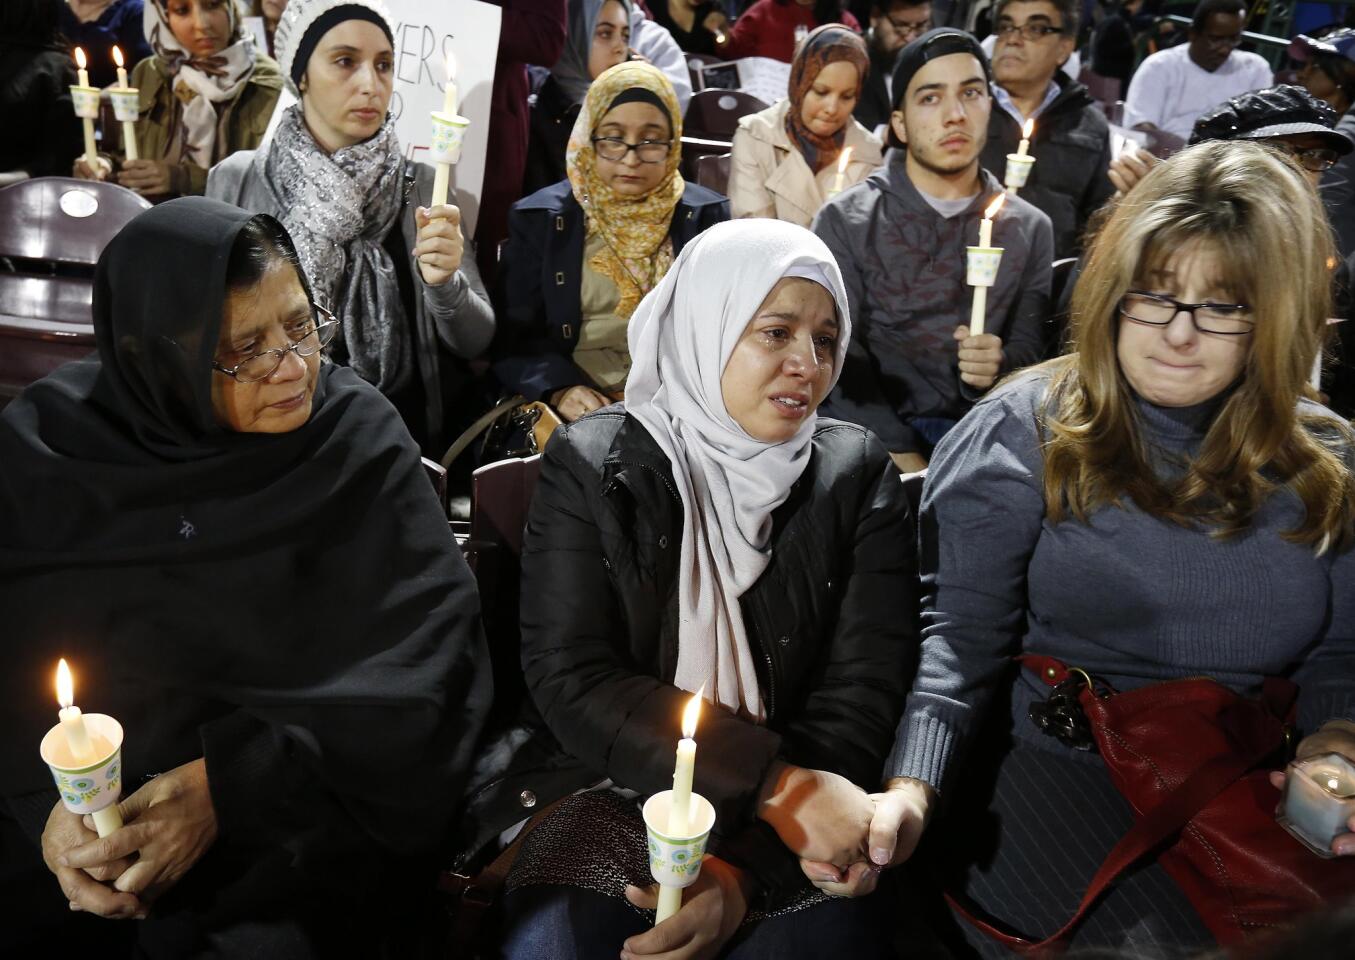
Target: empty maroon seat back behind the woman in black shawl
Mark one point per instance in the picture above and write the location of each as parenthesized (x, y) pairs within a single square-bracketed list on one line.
[(52, 233)]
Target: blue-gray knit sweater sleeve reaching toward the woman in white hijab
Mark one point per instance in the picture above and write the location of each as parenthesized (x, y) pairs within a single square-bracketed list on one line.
[(984, 492)]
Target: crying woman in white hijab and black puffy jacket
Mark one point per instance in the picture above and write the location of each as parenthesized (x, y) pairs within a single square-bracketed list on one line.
[(712, 536)]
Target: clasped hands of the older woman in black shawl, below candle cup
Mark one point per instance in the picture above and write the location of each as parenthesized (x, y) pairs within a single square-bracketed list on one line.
[(169, 825)]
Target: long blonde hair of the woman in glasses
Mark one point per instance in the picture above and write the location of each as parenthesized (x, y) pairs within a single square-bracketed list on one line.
[(1264, 220)]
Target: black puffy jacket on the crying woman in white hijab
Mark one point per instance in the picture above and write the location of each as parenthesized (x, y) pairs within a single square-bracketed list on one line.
[(833, 620)]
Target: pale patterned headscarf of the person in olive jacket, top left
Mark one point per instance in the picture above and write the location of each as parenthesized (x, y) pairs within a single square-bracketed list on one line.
[(200, 83)]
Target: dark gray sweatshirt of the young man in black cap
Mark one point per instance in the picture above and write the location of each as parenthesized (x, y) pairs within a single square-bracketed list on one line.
[(904, 269)]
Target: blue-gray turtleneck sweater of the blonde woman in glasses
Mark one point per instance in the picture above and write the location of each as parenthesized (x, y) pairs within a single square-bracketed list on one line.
[(1125, 596)]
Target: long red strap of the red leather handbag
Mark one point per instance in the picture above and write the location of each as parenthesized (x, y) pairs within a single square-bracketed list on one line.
[(1152, 829)]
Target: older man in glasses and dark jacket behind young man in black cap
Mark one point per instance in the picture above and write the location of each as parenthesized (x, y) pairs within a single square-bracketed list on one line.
[(1072, 139)]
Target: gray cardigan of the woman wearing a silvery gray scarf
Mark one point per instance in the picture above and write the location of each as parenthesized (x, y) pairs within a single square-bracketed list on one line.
[(456, 314)]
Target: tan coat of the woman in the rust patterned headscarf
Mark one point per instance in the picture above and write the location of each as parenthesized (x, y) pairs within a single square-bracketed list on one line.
[(769, 176)]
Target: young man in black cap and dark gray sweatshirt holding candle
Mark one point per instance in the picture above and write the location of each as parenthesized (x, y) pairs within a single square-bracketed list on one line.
[(900, 237)]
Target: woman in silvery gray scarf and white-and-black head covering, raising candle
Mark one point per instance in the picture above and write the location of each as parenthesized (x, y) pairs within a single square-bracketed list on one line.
[(396, 275)]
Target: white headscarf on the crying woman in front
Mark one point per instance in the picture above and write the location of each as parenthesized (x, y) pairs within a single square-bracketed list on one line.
[(681, 340)]
